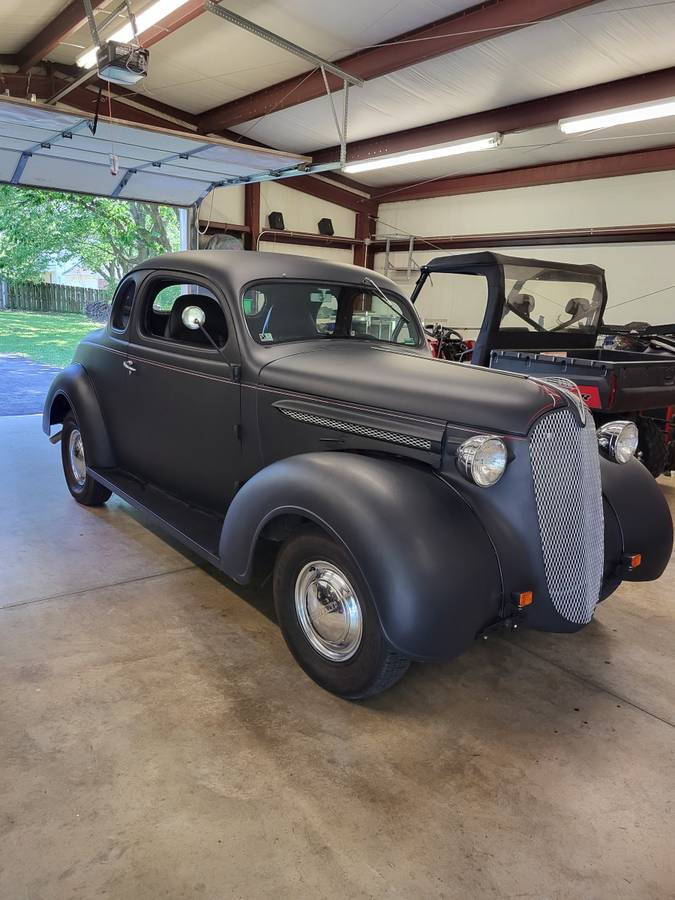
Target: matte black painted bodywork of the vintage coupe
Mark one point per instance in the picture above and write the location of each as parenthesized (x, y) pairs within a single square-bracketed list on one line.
[(205, 442)]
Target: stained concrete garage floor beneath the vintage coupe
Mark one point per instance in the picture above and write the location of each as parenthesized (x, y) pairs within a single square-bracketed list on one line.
[(157, 740)]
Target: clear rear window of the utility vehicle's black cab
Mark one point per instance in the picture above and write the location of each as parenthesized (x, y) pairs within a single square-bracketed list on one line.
[(538, 298)]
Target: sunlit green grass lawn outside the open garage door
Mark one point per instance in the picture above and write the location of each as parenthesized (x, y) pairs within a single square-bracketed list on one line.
[(48, 338)]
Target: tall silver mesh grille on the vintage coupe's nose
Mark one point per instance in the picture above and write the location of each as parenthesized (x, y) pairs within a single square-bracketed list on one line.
[(567, 488)]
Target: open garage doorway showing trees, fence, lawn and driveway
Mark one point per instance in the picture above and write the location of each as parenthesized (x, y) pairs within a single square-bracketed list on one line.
[(61, 257)]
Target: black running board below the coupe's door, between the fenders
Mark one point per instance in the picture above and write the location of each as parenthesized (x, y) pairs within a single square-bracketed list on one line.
[(196, 529)]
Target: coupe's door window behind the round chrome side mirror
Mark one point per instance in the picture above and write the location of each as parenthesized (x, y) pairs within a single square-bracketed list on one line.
[(164, 306)]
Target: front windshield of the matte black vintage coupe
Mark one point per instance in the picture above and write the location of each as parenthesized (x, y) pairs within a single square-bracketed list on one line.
[(281, 311)]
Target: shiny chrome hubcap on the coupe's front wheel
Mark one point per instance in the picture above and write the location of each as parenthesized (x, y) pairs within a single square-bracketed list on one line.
[(328, 610)]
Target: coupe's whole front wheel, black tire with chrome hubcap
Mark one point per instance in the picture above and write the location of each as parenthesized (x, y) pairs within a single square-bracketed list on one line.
[(329, 621)]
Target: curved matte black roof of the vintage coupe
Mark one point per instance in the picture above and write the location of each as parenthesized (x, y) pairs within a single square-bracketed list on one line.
[(235, 268)]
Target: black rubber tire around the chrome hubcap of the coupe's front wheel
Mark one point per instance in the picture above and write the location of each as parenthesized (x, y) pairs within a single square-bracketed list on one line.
[(374, 665)]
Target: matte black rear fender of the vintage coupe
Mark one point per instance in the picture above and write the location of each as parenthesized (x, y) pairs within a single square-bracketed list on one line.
[(72, 386)]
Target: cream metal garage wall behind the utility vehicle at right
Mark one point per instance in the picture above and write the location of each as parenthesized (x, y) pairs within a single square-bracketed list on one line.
[(632, 269)]
